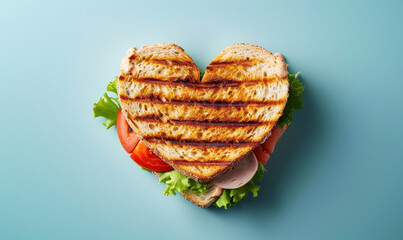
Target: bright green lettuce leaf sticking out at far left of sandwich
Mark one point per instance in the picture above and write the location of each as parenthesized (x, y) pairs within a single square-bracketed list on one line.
[(107, 106)]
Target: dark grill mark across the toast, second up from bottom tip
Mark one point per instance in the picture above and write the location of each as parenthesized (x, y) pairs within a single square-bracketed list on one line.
[(198, 143)]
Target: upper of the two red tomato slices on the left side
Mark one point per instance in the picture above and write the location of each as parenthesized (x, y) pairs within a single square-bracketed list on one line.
[(129, 140)]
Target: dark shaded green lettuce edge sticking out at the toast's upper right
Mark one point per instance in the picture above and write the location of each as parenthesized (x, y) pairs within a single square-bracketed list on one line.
[(294, 101)]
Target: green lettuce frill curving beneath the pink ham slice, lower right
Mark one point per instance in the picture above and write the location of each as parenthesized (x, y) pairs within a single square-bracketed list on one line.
[(230, 197)]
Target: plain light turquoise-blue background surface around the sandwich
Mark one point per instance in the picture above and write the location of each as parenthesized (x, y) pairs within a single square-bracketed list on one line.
[(336, 173)]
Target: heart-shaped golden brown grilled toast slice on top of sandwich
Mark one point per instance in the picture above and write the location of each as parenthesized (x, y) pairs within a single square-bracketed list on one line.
[(202, 128)]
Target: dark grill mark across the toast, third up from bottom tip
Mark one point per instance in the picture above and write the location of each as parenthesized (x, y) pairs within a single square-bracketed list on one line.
[(154, 119)]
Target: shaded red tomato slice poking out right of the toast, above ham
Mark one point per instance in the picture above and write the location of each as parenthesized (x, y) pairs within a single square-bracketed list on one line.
[(263, 151)]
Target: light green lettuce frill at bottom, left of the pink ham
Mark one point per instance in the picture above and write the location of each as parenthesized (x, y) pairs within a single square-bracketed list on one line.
[(177, 182)]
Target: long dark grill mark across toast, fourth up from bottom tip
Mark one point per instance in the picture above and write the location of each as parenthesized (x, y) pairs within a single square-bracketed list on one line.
[(205, 103)]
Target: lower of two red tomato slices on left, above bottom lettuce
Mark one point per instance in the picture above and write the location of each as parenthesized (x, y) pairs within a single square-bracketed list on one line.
[(146, 159)]
